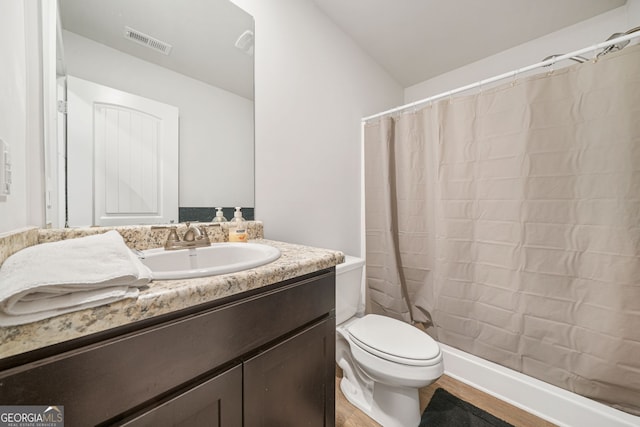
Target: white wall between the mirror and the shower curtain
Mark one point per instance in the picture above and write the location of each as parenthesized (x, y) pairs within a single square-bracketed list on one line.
[(313, 85)]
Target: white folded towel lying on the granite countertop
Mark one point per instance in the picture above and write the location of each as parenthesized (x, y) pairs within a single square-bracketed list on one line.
[(54, 278)]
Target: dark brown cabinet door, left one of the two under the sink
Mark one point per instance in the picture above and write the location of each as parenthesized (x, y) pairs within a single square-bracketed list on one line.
[(216, 403)]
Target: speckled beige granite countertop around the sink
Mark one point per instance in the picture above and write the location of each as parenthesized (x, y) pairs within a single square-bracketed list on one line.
[(166, 296)]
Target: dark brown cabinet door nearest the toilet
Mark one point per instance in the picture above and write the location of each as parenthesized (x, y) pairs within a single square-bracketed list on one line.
[(293, 383)]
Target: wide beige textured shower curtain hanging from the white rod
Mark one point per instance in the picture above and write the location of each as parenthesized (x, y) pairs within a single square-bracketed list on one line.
[(527, 250)]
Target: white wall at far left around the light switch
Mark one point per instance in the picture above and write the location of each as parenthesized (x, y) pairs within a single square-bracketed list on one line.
[(20, 114)]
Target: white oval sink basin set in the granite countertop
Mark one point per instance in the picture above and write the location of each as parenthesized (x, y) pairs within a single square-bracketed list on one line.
[(219, 258)]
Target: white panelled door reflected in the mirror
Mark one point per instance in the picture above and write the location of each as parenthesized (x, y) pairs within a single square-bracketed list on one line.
[(122, 157)]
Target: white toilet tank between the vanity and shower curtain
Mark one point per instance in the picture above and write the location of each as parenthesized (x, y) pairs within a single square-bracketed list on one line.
[(349, 288)]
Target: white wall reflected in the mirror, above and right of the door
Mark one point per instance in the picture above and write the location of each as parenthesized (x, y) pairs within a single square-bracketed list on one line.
[(216, 126)]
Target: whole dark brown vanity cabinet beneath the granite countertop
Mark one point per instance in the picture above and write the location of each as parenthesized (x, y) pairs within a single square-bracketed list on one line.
[(261, 358)]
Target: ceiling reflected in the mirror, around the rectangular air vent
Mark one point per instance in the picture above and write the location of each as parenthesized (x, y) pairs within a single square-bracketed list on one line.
[(202, 36)]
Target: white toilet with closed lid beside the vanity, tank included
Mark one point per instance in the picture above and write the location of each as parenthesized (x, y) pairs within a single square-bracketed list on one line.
[(384, 361)]
